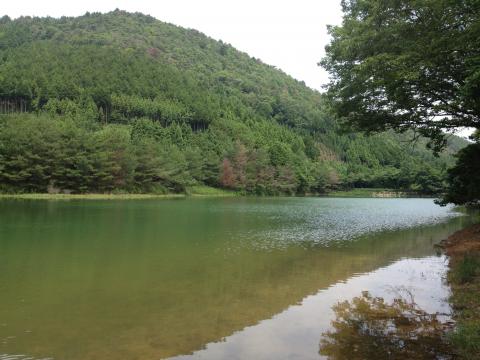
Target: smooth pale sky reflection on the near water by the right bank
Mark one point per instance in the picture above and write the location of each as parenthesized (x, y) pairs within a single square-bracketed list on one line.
[(295, 333)]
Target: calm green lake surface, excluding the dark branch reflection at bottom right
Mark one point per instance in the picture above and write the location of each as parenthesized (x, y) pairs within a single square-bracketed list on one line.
[(206, 278)]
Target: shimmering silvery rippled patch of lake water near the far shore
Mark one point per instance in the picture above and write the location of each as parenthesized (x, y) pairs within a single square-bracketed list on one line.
[(326, 221)]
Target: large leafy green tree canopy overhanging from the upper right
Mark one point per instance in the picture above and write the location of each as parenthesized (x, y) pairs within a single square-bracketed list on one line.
[(406, 64)]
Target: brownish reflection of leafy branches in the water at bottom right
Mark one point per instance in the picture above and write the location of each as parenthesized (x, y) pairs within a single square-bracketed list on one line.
[(369, 328)]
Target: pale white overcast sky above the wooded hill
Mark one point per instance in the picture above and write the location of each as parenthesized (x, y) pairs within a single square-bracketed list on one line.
[(290, 34)]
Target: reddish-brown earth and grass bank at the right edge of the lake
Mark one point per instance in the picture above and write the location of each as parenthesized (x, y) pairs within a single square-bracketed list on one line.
[(463, 251)]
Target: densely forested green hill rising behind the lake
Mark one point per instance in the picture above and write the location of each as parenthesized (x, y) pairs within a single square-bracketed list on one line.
[(125, 102)]
